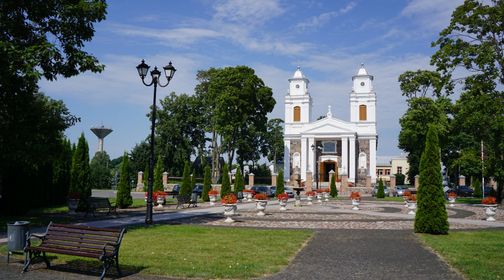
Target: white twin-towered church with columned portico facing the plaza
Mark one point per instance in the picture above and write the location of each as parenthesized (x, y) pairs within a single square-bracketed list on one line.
[(312, 148)]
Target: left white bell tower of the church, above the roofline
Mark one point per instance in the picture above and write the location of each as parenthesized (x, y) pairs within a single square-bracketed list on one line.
[(298, 100)]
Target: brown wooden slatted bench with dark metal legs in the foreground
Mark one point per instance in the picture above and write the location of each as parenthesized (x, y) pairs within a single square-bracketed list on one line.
[(98, 243)]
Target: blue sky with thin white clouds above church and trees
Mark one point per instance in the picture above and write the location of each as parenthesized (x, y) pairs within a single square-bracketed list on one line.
[(328, 39)]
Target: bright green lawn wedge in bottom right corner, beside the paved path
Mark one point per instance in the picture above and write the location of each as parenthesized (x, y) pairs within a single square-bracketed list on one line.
[(477, 254)]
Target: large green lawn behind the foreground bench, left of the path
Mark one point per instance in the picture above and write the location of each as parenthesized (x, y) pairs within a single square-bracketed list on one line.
[(203, 252)]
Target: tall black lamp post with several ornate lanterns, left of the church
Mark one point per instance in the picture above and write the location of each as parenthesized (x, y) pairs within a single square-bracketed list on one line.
[(155, 74)]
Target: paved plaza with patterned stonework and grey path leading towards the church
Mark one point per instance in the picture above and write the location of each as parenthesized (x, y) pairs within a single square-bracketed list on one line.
[(378, 239)]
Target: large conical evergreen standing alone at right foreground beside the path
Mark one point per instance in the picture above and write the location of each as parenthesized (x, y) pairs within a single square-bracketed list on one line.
[(431, 216)]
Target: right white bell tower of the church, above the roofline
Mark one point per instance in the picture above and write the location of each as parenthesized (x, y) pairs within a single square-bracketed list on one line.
[(362, 98)]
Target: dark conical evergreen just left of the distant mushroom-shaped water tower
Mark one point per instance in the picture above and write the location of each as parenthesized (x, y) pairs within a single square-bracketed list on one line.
[(80, 173)]
